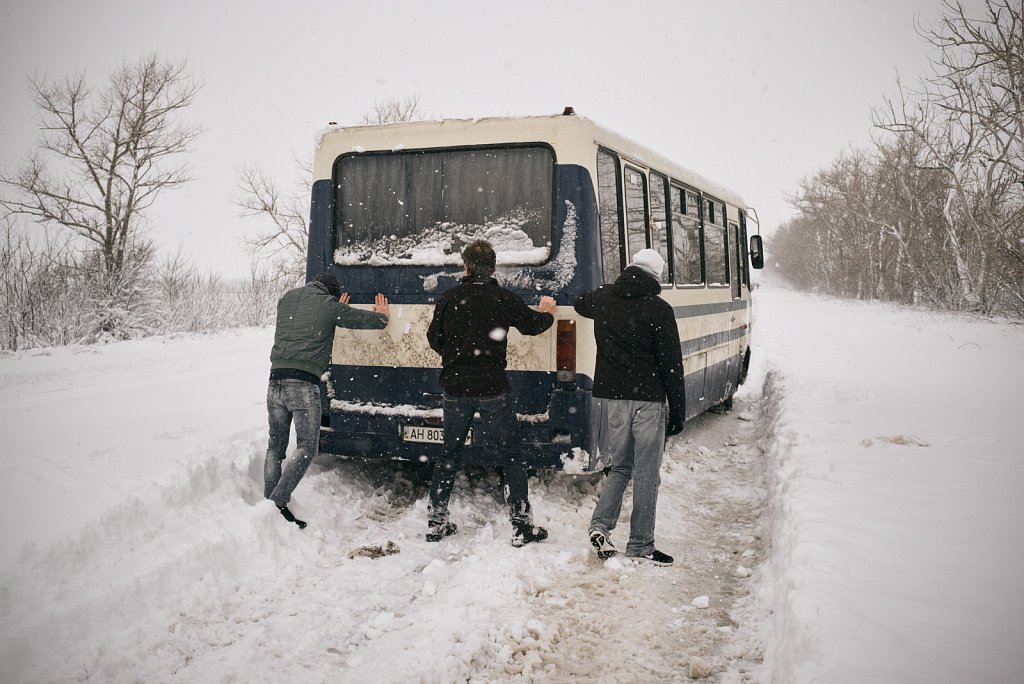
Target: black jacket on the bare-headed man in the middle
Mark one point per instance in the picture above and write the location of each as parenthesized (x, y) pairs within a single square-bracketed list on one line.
[(470, 330)]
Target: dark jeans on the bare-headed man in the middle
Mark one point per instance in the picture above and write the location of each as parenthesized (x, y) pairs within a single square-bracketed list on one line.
[(503, 431)]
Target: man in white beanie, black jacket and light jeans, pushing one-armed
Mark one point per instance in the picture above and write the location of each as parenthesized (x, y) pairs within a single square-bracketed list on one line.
[(639, 366)]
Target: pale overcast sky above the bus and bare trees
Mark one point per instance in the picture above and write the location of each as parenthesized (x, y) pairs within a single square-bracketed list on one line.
[(755, 96)]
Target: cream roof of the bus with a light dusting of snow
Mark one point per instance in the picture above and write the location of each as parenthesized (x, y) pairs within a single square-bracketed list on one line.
[(533, 129)]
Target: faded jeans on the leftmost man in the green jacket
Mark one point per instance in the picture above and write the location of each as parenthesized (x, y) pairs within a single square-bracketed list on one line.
[(288, 401)]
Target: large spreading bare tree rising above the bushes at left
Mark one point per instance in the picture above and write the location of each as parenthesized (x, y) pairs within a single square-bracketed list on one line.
[(105, 156)]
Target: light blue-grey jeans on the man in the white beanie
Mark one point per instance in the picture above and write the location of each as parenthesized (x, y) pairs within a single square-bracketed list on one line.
[(636, 440)]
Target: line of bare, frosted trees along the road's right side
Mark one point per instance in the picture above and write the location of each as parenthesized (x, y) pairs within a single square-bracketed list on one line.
[(933, 212)]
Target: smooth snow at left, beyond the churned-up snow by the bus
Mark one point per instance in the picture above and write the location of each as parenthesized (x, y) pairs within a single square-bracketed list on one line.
[(86, 427)]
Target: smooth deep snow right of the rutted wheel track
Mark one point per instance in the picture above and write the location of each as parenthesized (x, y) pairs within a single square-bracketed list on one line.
[(897, 490)]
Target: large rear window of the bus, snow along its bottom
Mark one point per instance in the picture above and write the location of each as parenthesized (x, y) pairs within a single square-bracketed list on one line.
[(420, 208)]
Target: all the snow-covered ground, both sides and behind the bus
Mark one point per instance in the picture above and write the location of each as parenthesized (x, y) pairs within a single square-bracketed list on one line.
[(856, 519)]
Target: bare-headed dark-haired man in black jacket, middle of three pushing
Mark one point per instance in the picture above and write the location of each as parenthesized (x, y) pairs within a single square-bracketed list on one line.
[(470, 330)]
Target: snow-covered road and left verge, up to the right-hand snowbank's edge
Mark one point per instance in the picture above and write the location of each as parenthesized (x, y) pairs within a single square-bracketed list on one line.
[(152, 558)]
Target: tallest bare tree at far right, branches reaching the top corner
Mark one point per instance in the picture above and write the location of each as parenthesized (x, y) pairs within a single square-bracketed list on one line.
[(969, 120)]
